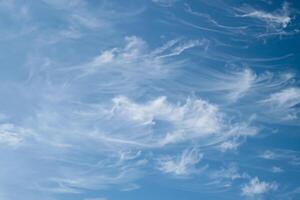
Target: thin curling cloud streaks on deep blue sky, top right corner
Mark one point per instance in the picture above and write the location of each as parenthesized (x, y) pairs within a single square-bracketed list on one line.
[(253, 22)]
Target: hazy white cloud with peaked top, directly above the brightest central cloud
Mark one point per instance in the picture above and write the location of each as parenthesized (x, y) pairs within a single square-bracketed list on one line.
[(128, 67)]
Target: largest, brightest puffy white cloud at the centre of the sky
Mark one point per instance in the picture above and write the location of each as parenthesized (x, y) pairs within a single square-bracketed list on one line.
[(194, 119)]
